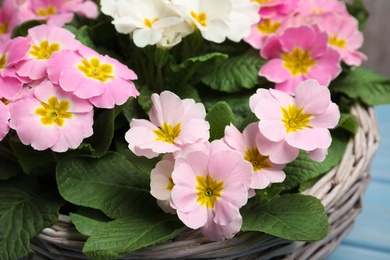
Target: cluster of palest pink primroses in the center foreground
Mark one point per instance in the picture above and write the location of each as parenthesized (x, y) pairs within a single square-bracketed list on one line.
[(206, 183)]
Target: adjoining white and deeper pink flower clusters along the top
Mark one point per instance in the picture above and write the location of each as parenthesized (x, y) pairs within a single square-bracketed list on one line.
[(302, 39)]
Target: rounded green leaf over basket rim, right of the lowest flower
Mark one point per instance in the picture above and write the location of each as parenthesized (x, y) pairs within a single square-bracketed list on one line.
[(292, 216)]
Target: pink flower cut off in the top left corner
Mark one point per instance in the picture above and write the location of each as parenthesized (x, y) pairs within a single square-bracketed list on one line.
[(9, 18)]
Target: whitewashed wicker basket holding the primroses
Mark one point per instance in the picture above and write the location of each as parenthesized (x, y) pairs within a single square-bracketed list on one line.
[(340, 190)]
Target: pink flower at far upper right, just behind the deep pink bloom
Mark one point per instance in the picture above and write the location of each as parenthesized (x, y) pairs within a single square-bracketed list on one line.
[(344, 36)]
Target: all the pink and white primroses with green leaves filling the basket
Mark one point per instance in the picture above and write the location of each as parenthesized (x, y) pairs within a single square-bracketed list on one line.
[(139, 120)]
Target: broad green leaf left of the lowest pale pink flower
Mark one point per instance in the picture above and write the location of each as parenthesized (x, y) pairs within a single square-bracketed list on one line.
[(110, 184)]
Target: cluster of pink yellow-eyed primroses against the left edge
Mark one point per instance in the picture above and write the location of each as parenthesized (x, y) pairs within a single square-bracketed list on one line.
[(49, 84)]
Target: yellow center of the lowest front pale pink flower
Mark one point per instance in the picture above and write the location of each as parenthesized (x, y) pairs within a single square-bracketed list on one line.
[(209, 190)]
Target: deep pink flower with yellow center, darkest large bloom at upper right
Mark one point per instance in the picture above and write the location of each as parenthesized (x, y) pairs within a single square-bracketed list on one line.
[(298, 54)]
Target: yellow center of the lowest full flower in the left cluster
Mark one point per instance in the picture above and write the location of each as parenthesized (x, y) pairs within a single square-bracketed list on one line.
[(54, 112)]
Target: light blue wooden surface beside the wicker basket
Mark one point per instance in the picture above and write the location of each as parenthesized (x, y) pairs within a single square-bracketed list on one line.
[(370, 238)]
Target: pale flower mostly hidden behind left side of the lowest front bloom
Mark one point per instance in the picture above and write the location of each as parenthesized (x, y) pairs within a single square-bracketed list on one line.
[(161, 183)]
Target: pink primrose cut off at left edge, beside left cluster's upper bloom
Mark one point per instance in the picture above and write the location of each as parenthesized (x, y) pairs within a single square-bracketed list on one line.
[(11, 52)]
